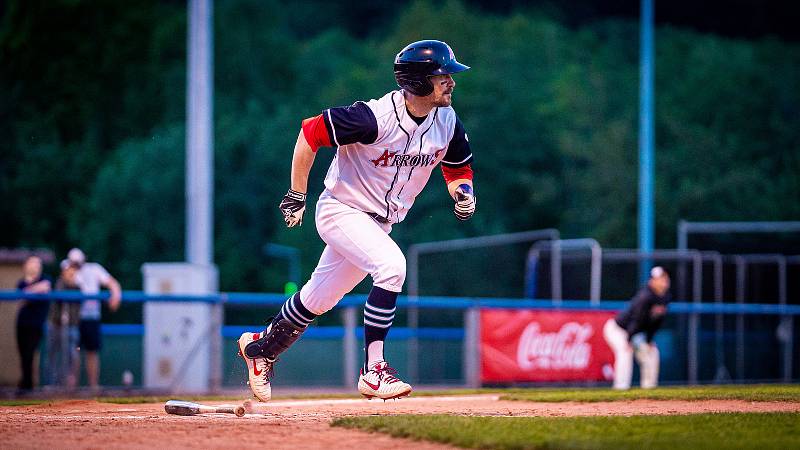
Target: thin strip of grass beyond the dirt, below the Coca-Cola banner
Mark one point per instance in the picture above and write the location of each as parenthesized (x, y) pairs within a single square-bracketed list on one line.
[(751, 393)]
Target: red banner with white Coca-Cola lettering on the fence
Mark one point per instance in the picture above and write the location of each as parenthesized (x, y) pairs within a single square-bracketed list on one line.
[(544, 345)]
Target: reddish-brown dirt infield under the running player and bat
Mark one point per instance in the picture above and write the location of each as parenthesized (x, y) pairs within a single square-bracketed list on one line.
[(301, 424)]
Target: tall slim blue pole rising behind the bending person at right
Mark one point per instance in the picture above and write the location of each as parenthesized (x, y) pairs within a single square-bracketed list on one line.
[(646, 135)]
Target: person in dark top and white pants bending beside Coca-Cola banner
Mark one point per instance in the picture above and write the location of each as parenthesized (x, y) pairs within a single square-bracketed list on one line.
[(631, 332)]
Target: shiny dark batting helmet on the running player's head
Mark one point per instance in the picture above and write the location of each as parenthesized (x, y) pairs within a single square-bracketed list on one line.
[(423, 59)]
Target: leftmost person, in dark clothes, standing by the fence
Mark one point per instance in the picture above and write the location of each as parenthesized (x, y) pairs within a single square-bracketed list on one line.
[(31, 317)]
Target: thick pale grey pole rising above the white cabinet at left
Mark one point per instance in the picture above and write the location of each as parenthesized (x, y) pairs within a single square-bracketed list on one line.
[(199, 134)]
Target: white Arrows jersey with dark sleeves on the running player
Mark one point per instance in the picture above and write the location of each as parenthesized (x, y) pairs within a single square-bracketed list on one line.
[(384, 158)]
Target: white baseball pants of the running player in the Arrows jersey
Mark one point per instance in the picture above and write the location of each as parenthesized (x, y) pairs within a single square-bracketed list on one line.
[(357, 245)]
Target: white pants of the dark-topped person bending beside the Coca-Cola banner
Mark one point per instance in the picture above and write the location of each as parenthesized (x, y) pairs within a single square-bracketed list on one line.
[(647, 356)]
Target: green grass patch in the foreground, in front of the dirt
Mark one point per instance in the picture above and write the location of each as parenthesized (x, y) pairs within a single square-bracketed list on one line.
[(701, 431)]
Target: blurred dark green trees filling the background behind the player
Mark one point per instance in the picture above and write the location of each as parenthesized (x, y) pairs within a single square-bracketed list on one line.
[(92, 118)]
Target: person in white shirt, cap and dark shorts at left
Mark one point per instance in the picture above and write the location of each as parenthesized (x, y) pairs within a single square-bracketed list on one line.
[(90, 278)]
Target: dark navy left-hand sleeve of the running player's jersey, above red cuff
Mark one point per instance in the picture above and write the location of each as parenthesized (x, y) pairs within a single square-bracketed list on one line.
[(351, 124)]
